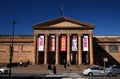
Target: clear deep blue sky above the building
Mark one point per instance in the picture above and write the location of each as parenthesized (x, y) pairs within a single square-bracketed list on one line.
[(104, 14)]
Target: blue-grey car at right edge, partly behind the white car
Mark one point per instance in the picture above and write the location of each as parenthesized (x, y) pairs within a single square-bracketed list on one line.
[(113, 70)]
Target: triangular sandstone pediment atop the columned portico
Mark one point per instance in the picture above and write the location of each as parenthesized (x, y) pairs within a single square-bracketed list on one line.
[(64, 23)]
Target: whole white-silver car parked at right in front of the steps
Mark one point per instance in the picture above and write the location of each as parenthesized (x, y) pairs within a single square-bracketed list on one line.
[(98, 71)]
